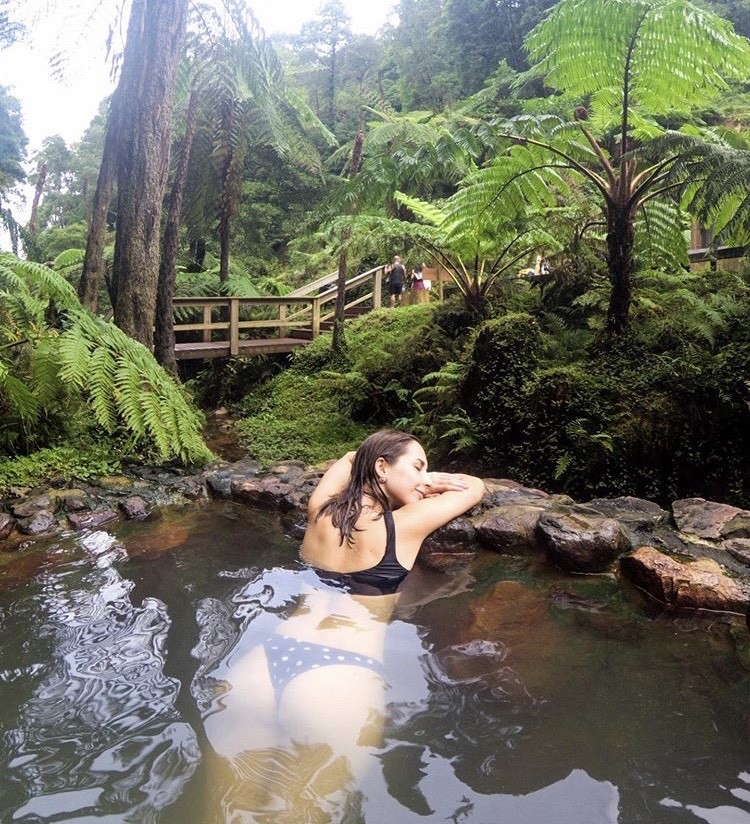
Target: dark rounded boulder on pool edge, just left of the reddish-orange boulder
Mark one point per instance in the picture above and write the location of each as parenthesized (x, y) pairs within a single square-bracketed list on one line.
[(580, 542)]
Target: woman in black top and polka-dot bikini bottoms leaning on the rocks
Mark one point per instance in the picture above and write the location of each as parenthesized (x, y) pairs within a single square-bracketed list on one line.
[(306, 707)]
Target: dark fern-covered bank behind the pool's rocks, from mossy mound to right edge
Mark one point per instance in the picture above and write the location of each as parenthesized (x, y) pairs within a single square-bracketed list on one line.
[(663, 415)]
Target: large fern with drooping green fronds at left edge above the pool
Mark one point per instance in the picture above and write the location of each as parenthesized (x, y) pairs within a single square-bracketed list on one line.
[(45, 365)]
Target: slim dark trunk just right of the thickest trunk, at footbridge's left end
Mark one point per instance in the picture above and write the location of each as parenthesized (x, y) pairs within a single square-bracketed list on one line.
[(164, 328)]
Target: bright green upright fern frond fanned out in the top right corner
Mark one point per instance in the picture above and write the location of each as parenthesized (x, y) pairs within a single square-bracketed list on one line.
[(587, 47)]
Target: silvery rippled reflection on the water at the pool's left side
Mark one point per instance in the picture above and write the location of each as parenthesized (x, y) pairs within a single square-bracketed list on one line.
[(100, 733)]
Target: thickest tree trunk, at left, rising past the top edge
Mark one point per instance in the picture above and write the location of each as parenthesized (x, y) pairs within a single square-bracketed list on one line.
[(147, 84)]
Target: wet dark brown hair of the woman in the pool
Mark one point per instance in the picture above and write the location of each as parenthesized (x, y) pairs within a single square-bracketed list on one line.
[(345, 508)]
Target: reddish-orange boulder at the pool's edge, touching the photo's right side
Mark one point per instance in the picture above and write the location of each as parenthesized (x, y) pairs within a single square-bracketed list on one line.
[(701, 584)]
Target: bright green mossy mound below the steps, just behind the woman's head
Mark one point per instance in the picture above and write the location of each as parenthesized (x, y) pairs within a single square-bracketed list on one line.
[(320, 407)]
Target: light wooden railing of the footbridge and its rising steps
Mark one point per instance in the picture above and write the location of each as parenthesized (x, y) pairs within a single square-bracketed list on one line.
[(222, 323)]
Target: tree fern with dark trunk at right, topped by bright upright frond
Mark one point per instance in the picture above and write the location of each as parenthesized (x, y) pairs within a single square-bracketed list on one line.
[(623, 63)]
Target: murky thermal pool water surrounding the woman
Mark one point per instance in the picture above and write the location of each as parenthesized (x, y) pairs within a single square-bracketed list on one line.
[(513, 692)]
